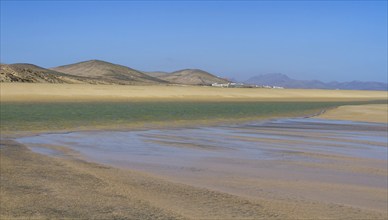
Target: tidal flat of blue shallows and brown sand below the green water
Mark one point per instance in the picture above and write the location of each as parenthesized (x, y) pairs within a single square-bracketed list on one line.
[(274, 169)]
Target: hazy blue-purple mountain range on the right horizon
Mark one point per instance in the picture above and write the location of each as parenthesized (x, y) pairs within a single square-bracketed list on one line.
[(281, 80)]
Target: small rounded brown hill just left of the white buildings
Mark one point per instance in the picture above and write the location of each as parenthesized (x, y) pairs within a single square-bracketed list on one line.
[(192, 77)]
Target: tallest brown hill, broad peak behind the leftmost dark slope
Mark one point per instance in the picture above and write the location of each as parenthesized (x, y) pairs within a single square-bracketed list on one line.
[(108, 72)]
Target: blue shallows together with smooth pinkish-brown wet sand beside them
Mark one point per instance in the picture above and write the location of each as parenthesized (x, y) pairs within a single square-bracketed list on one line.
[(336, 161)]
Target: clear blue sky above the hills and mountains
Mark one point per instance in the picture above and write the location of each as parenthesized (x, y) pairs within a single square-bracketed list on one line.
[(326, 40)]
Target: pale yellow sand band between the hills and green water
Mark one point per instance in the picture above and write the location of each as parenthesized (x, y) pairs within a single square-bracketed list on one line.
[(27, 92)]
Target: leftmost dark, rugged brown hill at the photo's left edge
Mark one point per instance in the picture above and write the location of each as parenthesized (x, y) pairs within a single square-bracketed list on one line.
[(24, 72)]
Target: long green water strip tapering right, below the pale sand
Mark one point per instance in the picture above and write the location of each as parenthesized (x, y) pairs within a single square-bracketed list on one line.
[(19, 117)]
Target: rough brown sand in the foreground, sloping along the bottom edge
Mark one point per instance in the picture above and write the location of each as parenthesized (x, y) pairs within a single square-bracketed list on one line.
[(41, 187)]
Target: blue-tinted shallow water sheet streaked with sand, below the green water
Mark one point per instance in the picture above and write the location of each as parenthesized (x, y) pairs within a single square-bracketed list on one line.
[(263, 140)]
